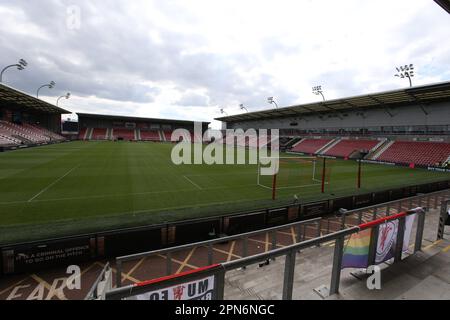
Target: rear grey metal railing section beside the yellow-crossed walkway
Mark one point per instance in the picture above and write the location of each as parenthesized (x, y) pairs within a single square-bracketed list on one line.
[(299, 225)]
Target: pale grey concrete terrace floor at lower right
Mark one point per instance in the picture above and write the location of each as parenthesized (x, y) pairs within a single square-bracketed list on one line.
[(425, 275)]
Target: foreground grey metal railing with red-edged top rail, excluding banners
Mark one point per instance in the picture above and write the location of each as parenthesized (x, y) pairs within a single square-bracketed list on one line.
[(219, 271)]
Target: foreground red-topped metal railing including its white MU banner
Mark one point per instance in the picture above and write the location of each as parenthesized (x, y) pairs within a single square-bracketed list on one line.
[(209, 282)]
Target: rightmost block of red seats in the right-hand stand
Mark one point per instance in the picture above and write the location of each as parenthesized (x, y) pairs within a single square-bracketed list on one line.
[(418, 153)]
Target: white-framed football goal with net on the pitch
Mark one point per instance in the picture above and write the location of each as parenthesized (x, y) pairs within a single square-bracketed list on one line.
[(294, 172)]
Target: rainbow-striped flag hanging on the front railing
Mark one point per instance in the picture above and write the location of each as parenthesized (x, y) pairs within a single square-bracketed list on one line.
[(356, 252)]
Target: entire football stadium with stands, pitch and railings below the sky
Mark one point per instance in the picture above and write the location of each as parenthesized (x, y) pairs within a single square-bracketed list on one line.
[(98, 200)]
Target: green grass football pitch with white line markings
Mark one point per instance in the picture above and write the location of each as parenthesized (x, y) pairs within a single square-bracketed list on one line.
[(80, 187)]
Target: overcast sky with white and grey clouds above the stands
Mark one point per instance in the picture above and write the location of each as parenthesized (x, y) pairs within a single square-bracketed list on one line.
[(187, 59)]
